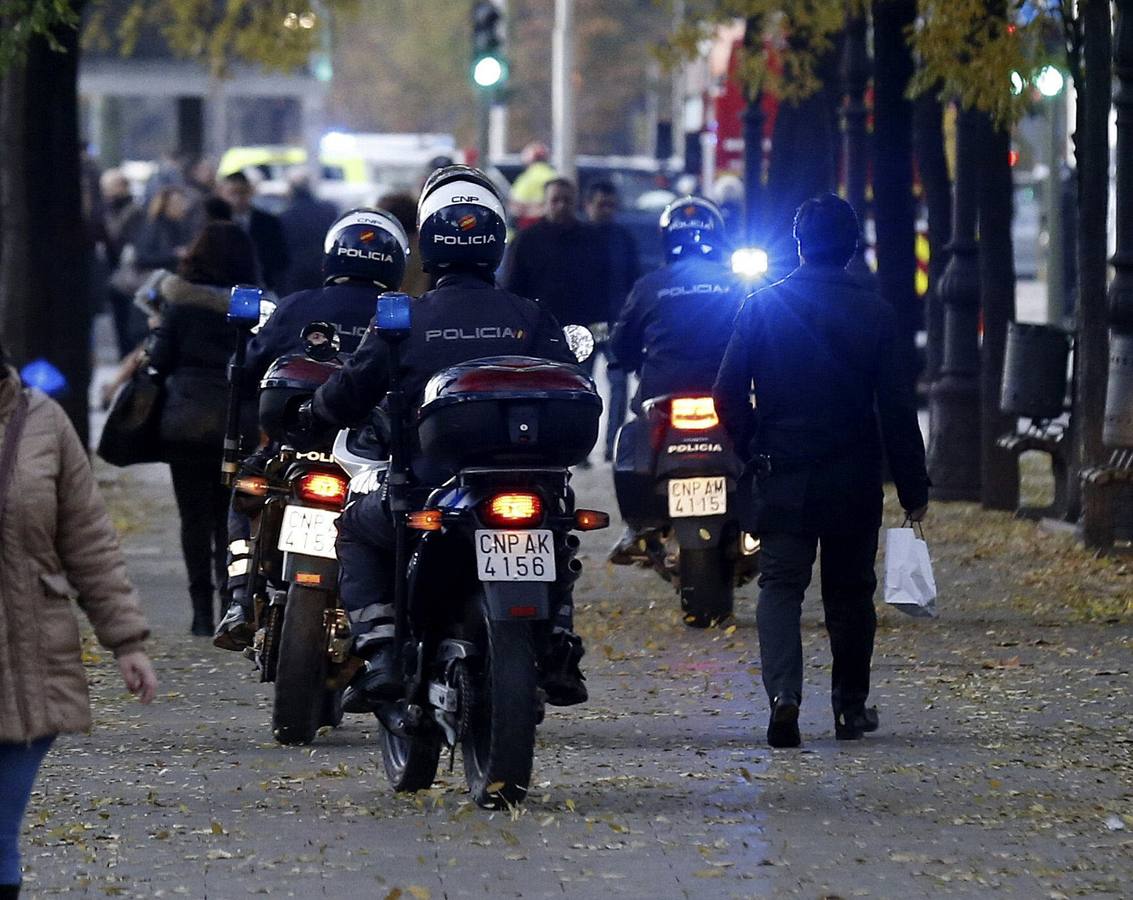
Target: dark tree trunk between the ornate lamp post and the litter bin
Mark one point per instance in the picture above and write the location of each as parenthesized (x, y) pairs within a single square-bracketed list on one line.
[(1000, 471)]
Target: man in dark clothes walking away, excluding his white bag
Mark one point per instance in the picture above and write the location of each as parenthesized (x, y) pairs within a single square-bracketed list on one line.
[(820, 351)]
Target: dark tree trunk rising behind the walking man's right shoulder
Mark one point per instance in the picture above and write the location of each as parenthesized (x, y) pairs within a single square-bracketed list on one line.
[(895, 215)]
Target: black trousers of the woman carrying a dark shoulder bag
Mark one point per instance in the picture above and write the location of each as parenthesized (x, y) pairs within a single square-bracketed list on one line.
[(202, 503)]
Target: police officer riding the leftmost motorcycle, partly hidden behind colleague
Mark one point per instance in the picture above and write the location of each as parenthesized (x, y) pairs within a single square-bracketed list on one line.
[(364, 253)]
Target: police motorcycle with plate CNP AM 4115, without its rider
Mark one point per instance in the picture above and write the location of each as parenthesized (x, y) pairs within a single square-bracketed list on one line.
[(676, 477)]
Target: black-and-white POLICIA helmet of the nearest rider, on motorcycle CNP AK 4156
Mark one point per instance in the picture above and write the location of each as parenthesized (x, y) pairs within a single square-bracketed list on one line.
[(462, 222)]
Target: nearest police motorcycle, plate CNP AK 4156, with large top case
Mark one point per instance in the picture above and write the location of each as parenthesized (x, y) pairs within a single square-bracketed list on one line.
[(479, 557)]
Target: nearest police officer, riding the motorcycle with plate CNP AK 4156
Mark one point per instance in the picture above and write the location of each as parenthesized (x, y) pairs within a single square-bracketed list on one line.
[(463, 231)]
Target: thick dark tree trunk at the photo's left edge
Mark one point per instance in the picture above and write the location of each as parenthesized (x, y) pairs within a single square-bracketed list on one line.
[(45, 241)]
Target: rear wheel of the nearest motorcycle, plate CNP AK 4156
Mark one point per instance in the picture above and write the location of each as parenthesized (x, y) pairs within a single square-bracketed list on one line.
[(500, 748)]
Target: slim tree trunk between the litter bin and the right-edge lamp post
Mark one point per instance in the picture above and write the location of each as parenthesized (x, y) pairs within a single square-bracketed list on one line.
[(1092, 152)]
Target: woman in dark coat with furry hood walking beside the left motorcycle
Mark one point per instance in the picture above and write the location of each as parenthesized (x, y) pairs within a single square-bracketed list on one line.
[(191, 350)]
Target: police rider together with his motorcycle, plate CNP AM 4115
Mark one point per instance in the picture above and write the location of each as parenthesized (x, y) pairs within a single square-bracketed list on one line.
[(675, 468)]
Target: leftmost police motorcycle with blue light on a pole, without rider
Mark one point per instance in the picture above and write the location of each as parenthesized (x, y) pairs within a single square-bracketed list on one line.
[(302, 634)]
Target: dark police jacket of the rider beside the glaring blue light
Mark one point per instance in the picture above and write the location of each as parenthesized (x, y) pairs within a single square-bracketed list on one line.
[(676, 325)]
